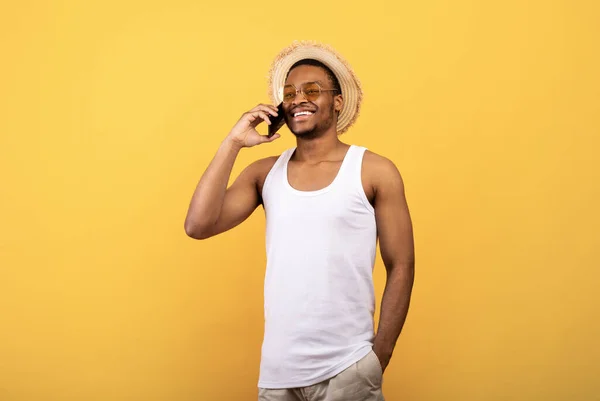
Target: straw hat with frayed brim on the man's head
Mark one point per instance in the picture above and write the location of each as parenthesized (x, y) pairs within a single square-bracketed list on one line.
[(300, 50)]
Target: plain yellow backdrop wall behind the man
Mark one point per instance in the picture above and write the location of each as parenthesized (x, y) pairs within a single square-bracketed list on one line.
[(111, 110)]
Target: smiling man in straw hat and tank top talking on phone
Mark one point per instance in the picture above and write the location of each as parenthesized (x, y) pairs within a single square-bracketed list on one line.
[(327, 204)]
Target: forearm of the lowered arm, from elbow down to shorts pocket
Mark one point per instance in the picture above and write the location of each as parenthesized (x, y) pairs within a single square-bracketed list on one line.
[(394, 308)]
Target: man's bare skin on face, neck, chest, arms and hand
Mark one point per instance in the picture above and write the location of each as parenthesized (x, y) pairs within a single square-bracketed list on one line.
[(215, 208)]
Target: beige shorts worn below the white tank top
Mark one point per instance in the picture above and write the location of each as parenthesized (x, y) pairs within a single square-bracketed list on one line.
[(360, 382)]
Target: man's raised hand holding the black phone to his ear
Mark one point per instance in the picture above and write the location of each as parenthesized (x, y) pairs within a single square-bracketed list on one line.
[(244, 133)]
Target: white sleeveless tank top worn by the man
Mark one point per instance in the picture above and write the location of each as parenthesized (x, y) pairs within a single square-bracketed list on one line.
[(319, 297)]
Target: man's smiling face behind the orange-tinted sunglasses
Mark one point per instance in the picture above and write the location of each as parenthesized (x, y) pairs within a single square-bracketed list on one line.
[(323, 115)]
